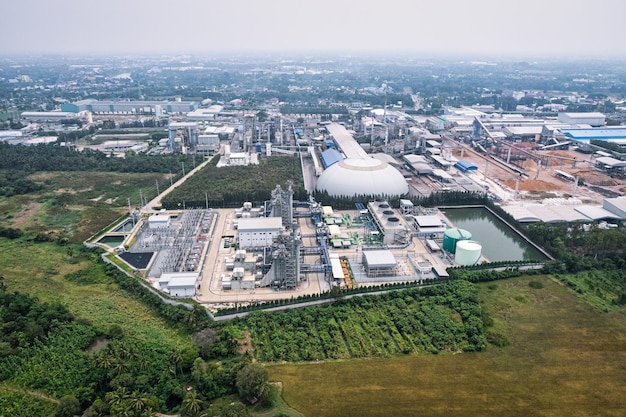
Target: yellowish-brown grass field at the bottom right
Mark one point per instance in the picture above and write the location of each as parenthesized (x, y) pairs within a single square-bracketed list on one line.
[(565, 359)]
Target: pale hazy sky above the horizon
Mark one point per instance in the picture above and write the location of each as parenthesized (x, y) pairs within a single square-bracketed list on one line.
[(571, 28)]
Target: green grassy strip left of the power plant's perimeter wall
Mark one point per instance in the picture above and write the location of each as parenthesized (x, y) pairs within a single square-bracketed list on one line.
[(42, 270)]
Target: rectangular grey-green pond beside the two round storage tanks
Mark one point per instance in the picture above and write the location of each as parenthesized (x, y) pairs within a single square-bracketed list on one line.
[(499, 241)]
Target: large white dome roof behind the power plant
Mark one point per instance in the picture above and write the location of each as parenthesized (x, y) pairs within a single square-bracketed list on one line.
[(364, 176)]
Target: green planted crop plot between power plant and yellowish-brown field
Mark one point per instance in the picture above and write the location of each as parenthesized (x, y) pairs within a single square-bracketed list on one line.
[(433, 319)]
